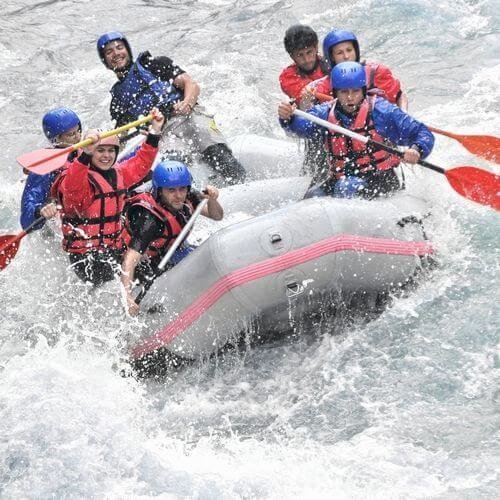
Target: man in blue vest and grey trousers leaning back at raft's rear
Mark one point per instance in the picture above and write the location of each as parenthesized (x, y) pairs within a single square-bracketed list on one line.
[(157, 81)]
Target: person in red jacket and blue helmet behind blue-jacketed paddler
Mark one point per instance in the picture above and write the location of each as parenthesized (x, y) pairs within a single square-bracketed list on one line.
[(341, 45)]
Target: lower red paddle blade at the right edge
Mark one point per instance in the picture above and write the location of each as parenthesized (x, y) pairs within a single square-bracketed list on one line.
[(476, 184)]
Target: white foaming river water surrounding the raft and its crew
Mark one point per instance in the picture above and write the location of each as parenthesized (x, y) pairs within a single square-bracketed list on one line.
[(402, 407)]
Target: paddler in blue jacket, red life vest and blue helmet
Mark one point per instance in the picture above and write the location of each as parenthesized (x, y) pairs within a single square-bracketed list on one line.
[(352, 161)]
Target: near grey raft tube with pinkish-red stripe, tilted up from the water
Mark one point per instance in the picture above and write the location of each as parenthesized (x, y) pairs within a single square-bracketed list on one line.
[(280, 266)]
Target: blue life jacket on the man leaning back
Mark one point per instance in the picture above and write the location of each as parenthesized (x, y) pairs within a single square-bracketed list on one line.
[(140, 91)]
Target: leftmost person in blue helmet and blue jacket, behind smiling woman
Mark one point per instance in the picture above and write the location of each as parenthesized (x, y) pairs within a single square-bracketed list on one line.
[(63, 128)]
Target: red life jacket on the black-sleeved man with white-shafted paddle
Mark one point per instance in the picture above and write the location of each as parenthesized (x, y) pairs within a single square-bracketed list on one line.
[(171, 227)]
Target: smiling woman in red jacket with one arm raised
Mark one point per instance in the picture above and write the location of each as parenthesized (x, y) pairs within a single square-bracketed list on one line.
[(92, 193)]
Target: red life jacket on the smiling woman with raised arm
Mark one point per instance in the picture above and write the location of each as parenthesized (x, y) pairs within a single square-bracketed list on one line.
[(101, 224)]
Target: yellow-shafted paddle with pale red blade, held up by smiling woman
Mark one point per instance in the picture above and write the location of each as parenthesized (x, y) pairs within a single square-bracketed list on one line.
[(44, 161)]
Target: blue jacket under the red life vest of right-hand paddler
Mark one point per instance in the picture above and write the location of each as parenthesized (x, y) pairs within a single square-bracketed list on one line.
[(389, 121)]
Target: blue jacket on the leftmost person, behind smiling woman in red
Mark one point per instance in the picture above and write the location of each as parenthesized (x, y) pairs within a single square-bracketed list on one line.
[(35, 195)]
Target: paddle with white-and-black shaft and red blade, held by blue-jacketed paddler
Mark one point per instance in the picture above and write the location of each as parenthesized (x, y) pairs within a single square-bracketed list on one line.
[(473, 183)]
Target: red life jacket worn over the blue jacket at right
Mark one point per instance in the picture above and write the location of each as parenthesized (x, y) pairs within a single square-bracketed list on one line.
[(365, 157)]
